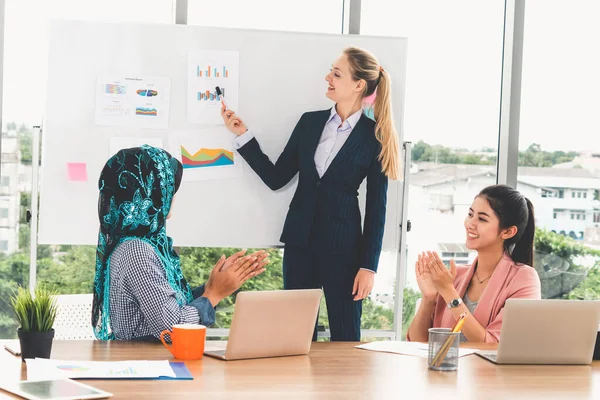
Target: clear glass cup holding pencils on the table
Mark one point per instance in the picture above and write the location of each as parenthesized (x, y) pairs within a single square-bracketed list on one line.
[(443, 349)]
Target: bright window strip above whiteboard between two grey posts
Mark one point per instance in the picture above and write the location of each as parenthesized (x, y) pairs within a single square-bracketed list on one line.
[(323, 16)]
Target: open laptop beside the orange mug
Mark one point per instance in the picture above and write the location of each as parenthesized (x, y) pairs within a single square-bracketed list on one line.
[(270, 324)]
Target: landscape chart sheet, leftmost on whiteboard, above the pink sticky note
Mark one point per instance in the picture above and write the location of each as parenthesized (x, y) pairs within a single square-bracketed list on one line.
[(141, 102)]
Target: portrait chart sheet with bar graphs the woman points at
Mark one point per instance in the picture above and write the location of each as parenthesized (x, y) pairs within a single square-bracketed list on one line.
[(208, 69)]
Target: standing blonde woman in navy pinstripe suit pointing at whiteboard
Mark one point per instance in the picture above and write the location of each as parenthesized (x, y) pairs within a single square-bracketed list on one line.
[(334, 151)]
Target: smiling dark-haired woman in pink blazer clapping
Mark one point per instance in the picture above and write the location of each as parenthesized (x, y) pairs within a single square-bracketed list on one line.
[(500, 227)]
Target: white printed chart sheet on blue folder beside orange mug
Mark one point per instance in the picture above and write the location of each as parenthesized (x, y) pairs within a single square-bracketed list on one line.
[(41, 368)]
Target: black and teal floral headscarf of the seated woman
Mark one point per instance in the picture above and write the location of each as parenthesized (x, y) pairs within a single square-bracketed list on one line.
[(136, 190)]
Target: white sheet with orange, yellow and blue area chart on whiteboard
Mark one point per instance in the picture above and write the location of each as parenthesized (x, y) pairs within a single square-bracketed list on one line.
[(206, 154)]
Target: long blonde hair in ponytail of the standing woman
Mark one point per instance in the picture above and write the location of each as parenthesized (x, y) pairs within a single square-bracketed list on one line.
[(365, 66)]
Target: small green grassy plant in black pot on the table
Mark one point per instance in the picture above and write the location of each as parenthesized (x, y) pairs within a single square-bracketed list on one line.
[(35, 315)]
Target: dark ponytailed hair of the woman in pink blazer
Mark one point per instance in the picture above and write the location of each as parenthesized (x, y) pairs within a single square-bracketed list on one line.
[(513, 209)]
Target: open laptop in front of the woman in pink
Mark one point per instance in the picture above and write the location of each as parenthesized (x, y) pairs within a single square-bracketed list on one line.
[(547, 332)]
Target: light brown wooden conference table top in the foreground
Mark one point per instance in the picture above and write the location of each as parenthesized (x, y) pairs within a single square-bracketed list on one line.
[(330, 371)]
